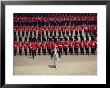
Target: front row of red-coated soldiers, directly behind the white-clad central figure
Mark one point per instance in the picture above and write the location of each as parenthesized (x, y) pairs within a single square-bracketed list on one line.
[(45, 47)]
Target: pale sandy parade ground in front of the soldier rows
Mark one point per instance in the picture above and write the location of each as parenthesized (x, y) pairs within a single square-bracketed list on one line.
[(67, 65)]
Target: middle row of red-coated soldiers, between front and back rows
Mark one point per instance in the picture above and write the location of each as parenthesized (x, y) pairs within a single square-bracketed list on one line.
[(50, 31)]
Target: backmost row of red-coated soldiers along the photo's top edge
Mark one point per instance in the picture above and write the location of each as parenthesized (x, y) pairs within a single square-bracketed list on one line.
[(55, 18)]
